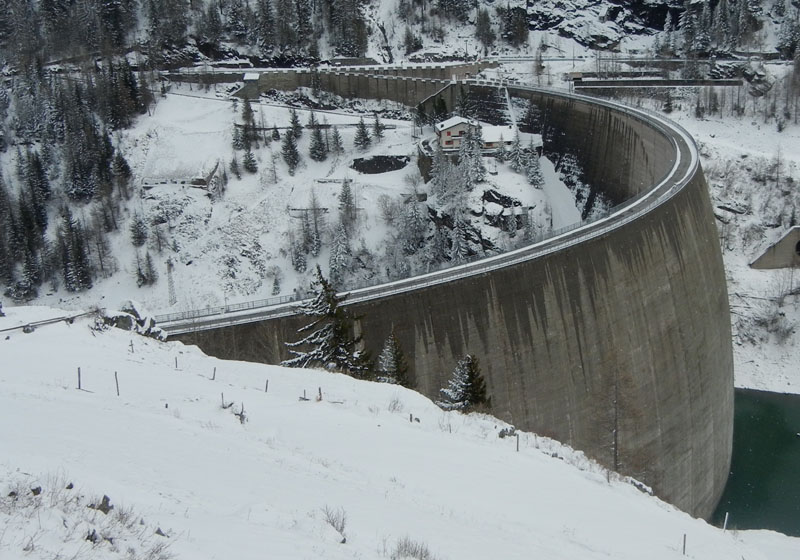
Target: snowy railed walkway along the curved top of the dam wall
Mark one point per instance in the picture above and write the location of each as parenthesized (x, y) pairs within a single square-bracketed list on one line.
[(618, 216)]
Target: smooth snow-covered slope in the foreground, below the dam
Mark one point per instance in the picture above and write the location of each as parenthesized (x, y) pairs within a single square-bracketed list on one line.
[(271, 475)]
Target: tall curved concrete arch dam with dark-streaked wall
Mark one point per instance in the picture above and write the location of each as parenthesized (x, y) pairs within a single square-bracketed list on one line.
[(613, 337)]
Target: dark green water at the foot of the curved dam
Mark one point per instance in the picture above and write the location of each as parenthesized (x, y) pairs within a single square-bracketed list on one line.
[(763, 490)]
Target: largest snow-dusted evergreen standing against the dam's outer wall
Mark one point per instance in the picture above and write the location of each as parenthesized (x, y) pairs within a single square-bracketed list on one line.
[(327, 339)]
